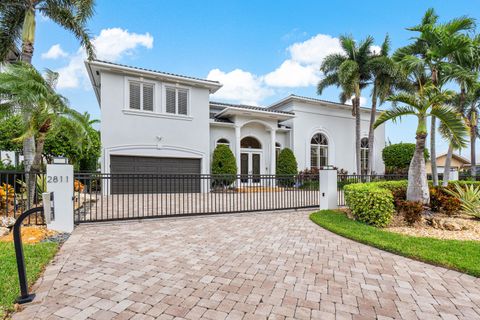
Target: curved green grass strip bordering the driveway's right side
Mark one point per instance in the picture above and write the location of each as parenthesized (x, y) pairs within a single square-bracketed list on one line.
[(463, 256)]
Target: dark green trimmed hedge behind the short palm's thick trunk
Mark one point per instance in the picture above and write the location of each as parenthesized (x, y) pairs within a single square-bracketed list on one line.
[(397, 156)]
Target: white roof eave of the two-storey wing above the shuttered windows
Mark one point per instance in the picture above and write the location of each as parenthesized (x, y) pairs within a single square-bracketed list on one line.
[(94, 66)]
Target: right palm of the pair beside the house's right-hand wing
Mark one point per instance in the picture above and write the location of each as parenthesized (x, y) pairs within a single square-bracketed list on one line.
[(387, 77)]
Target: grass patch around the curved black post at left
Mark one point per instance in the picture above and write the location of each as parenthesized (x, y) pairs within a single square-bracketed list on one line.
[(36, 257)]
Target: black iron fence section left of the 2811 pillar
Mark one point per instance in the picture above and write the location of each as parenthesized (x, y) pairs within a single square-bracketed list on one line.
[(14, 198)]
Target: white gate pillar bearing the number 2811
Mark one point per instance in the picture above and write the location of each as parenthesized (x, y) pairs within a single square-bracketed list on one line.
[(60, 181)]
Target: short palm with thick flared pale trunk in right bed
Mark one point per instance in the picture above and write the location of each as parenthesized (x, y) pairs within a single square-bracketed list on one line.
[(429, 101)]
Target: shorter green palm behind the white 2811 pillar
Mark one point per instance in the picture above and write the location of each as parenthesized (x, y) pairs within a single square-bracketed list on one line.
[(42, 108)]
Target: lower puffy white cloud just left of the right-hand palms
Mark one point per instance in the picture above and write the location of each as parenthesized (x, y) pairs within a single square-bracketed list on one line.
[(293, 74)]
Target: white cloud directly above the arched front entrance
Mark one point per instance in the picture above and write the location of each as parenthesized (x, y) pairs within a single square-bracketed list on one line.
[(240, 86)]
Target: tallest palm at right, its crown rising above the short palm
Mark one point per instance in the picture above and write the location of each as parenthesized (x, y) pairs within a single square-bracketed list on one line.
[(432, 48)]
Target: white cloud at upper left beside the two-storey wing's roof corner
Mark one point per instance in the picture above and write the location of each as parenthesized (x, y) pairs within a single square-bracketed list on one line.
[(112, 45)]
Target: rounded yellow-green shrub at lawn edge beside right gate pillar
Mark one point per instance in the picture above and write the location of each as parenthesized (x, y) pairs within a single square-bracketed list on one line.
[(370, 203)]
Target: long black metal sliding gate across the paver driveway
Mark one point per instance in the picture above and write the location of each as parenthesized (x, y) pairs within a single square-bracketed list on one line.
[(106, 197)]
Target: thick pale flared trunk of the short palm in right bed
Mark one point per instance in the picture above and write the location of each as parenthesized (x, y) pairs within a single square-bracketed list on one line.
[(417, 189)]
